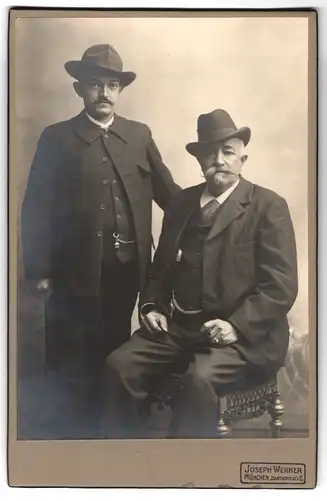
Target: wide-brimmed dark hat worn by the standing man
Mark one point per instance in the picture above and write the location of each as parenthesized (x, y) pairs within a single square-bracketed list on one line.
[(100, 60)]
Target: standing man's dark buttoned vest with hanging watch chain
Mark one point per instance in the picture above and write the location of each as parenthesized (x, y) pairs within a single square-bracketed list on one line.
[(116, 211)]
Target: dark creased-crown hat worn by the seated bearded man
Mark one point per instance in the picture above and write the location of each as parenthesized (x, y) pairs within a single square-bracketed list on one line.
[(215, 127)]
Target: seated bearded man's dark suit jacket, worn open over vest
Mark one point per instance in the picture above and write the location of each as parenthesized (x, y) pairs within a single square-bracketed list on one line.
[(249, 267)]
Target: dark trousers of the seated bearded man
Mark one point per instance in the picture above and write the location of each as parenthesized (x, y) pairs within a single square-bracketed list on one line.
[(137, 368)]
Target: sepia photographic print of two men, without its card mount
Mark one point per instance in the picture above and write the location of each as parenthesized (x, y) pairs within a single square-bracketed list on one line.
[(160, 186)]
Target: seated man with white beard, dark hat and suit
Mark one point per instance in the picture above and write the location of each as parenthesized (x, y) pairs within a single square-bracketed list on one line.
[(222, 281)]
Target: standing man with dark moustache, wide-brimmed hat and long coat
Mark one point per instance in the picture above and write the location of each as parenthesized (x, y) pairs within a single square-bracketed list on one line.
[(86, 218)]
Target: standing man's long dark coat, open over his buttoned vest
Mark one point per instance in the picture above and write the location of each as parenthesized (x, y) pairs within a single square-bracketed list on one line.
[(60, 213)]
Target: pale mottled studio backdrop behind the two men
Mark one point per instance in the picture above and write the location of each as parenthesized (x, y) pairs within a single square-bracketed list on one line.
[(255, 68)]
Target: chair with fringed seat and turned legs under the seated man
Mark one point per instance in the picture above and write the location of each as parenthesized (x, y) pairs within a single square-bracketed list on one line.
[(236, 406)]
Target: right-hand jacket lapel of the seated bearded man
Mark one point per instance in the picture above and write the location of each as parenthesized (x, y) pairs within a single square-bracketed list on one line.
[(232, 208)]
